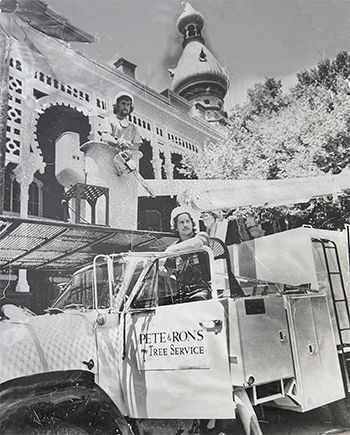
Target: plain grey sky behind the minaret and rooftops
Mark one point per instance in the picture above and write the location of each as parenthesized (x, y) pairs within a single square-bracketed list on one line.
[(252, 39)]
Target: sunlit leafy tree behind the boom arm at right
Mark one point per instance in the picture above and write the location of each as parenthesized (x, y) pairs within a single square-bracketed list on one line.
[(305, 132)]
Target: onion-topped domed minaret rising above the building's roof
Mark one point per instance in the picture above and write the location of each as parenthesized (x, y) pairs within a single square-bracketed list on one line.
[(198, 76)]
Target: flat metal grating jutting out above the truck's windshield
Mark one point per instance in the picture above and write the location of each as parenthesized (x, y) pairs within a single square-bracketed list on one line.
[(32, 244)]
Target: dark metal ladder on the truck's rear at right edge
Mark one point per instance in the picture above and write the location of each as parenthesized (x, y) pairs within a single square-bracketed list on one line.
[(328, 246)]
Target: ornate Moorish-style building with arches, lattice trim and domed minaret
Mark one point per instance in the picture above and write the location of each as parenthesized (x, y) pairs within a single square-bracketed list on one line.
[(49, 89)]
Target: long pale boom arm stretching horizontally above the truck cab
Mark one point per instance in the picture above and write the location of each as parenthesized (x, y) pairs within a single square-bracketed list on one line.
[(206, 195)]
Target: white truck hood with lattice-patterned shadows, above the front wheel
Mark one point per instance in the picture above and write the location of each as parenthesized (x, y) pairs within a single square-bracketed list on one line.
[(41, 344)]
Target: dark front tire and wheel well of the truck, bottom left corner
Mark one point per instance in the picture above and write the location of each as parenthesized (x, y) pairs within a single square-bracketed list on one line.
[(43, 401)]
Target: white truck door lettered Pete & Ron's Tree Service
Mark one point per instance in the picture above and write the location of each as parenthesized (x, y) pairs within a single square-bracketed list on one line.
[(175, 361)]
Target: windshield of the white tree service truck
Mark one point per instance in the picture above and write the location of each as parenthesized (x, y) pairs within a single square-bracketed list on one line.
[(80, 289)]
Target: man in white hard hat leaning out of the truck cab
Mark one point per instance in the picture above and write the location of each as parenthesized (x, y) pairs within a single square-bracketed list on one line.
[(190, 271)]
